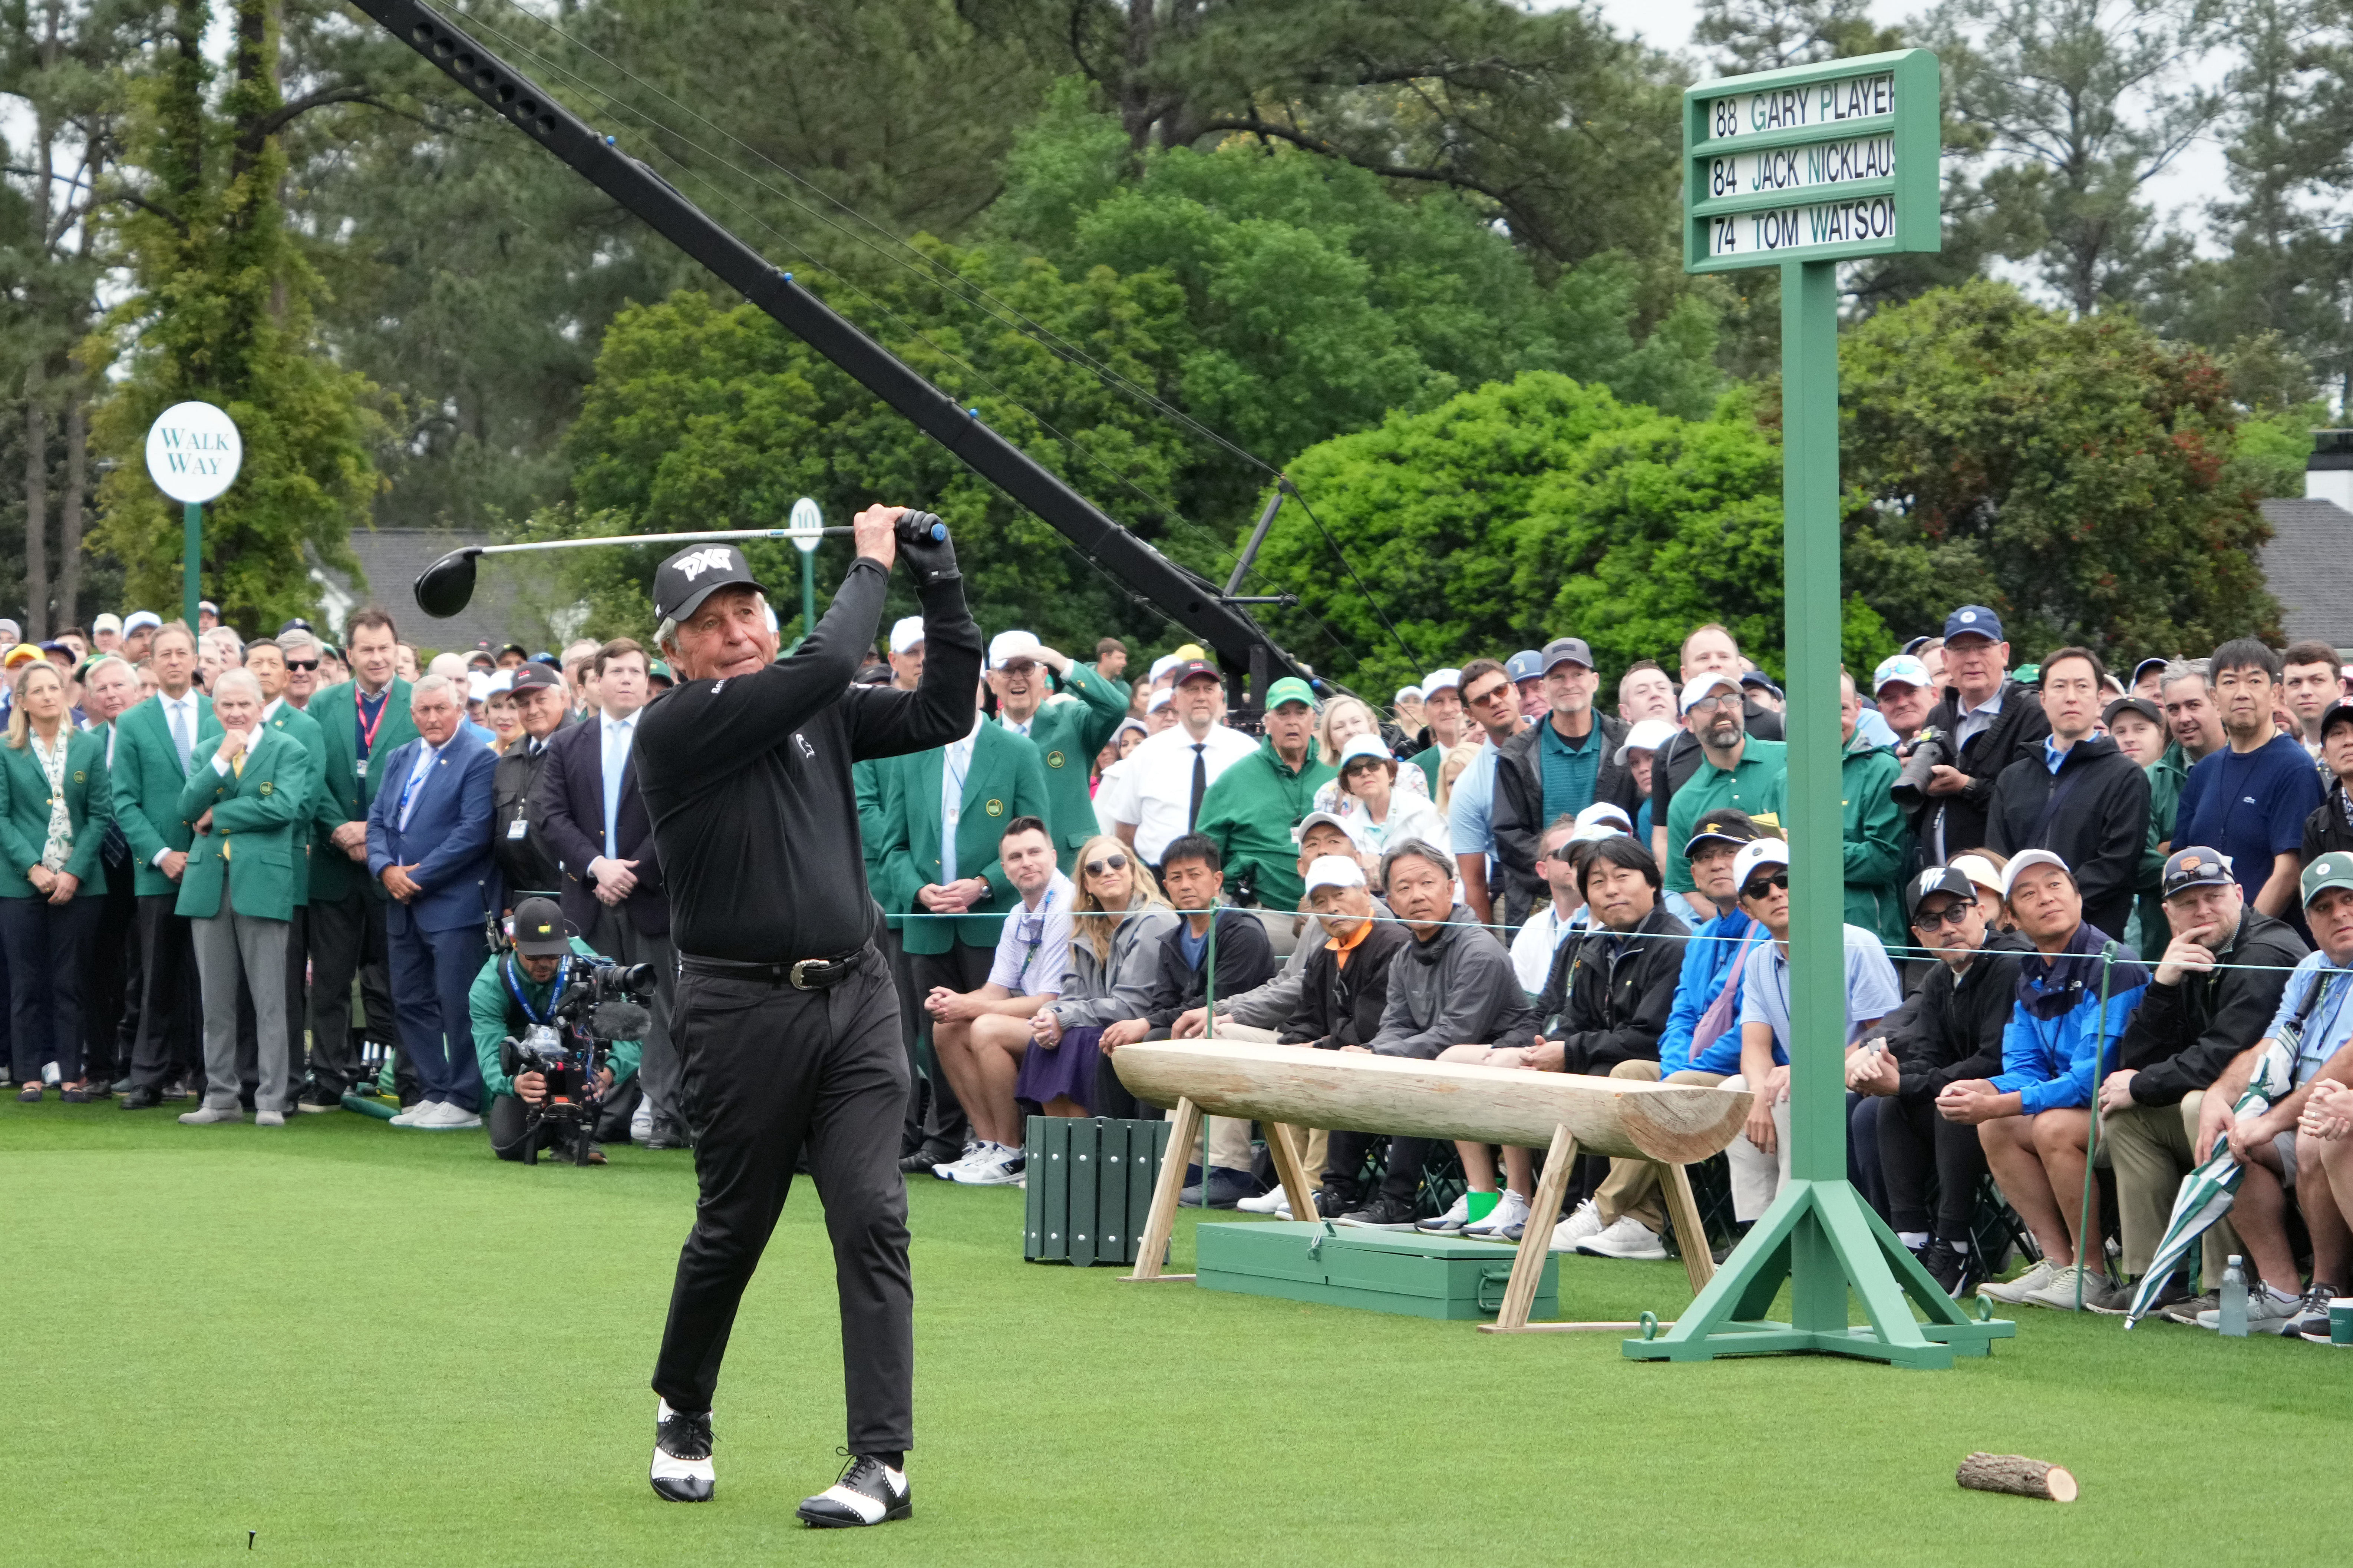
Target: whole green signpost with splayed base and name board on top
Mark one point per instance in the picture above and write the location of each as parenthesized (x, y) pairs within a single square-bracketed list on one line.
[(1804, 170)]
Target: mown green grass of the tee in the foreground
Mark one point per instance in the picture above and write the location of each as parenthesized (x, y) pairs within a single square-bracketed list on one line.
[(387, 1348)]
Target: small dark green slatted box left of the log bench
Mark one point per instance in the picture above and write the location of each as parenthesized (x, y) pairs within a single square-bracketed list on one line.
[(1091, 1188)]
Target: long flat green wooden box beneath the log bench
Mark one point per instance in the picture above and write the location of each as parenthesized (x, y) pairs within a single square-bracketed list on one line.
[(1380, 1271)]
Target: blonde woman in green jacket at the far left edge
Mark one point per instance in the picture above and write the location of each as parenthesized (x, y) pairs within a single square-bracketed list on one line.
[(53, 819)]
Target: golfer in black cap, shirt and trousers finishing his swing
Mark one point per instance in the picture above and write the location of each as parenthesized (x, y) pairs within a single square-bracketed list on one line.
[(787, 1021)]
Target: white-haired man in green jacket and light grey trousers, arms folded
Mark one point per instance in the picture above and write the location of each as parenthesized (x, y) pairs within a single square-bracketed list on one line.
[(246, 798)]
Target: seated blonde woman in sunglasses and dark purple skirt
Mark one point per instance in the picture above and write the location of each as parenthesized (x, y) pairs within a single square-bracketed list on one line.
[(1114, 963)]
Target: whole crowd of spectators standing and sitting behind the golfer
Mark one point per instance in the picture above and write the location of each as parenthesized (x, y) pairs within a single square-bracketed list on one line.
[(2098, 925)]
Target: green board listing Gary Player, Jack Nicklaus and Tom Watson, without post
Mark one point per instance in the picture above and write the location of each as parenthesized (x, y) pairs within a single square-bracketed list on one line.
[(1818, 163)]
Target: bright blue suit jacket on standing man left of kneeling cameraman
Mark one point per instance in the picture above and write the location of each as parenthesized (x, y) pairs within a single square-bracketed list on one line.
[(448, 836)]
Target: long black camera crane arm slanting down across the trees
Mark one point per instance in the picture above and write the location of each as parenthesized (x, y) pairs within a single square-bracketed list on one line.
[(1187, 598)]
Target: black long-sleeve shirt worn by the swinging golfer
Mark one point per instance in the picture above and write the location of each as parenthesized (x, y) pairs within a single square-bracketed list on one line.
[(749, 777)]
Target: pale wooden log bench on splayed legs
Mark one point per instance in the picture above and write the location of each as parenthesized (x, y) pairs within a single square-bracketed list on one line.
[(1568, 1115)]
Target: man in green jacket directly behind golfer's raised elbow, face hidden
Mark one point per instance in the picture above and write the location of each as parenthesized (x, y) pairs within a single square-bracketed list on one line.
[(938, 831)]
